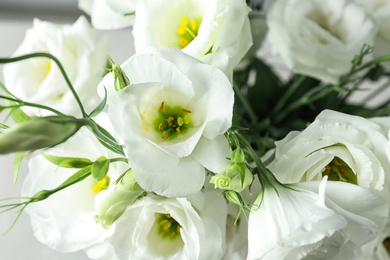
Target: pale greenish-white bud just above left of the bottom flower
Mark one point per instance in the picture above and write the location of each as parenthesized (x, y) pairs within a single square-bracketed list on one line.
[(116, 202)]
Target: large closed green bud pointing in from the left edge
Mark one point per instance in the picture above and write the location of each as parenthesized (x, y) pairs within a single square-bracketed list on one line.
[(38, 133)]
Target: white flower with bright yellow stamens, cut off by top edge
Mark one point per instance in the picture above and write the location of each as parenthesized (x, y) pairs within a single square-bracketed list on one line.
[(214, 31)]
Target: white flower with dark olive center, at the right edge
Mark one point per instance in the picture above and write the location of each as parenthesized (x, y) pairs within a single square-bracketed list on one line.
[(344, 147)]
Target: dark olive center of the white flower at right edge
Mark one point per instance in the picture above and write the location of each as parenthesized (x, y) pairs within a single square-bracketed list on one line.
[(338, 170)]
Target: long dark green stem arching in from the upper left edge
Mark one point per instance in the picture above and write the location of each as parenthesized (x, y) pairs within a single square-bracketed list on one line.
[(48, 55)]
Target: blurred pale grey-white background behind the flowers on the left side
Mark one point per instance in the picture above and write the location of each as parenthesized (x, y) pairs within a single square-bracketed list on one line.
[(15, 17)]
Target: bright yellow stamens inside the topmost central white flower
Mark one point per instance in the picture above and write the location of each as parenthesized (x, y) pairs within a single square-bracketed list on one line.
[(187, 30)]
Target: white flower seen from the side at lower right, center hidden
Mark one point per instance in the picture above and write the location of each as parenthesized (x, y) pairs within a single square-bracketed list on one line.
[(300, 222)]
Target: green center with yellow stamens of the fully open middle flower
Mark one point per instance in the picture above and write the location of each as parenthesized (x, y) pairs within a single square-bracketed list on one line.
[(172, 121)]
